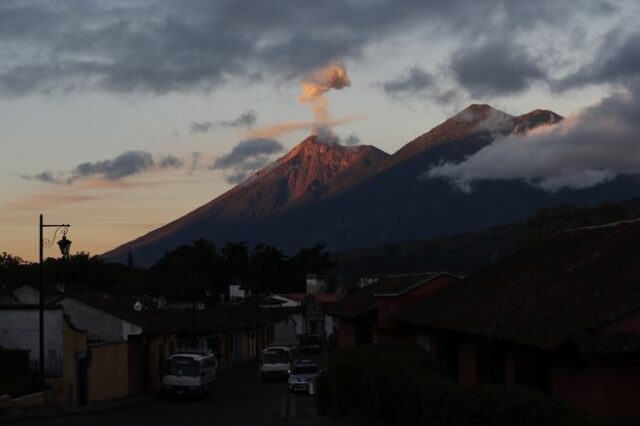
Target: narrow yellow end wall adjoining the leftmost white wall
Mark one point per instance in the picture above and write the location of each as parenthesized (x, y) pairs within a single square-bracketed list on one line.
[(75, 345)]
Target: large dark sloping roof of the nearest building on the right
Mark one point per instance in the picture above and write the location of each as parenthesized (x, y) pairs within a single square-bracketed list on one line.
[(545, 293)]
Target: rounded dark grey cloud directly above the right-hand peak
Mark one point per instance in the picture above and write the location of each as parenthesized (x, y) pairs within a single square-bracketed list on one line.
[(495, 68)]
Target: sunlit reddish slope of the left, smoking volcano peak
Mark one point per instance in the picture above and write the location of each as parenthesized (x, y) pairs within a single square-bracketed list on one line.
[(302, 174)]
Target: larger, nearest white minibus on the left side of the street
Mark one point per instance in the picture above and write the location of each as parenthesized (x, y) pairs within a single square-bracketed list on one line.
[(189, 373)]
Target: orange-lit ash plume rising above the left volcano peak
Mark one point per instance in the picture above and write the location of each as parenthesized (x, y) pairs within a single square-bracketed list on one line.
[(333, 76)]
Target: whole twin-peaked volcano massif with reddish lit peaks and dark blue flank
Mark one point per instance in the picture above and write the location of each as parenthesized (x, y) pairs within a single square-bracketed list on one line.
[(348, 197)]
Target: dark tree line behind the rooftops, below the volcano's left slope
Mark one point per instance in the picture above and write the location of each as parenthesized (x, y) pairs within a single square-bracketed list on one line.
[(196, 270)]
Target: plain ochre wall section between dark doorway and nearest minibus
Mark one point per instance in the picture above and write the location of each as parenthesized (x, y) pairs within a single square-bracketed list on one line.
[(108, 372)]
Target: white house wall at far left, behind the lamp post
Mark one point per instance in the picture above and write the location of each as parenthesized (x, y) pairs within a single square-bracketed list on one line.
[(20, 329)]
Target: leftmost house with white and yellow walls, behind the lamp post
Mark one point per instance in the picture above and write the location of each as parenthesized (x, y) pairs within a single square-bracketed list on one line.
[(66, 359)]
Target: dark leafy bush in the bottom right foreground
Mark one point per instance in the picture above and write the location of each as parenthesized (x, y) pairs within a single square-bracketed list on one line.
[(402, 385)]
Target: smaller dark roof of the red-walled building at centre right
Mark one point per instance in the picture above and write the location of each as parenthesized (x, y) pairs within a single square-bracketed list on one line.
[(364, 300)]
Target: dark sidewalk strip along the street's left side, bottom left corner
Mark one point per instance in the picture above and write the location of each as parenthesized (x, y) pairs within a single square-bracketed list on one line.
[(17, 416)]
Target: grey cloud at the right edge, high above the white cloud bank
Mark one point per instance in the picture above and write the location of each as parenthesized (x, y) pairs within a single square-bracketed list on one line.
[(617, 61)]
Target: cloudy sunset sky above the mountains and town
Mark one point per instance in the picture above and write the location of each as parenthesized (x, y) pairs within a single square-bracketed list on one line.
[(118, 117)]
